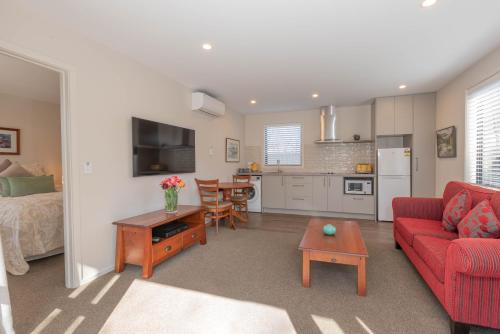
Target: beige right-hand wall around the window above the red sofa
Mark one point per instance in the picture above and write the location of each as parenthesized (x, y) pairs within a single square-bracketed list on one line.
[(451, 111)]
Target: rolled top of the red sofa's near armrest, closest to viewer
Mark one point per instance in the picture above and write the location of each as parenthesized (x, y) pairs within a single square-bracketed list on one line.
[(475, 257)]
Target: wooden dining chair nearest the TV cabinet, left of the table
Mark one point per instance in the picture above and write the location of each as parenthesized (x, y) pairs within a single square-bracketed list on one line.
[(209, 198)]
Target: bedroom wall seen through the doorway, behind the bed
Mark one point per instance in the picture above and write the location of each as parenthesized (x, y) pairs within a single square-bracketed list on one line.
[(40, 126)]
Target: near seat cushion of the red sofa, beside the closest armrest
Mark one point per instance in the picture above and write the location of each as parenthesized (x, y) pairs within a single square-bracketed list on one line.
[(433, 252)]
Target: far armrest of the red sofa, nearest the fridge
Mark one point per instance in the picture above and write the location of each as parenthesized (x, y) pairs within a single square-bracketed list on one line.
[(418, 207)]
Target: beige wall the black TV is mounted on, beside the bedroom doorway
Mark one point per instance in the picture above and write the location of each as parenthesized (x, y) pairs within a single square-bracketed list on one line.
[(107, 89)]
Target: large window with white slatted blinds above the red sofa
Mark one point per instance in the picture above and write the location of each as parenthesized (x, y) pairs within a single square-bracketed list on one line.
[(483, 134)]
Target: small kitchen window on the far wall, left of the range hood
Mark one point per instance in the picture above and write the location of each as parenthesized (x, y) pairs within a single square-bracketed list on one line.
[(283, 145)]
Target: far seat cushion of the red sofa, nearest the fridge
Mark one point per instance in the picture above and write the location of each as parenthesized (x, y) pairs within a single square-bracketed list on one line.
[(410, 227)]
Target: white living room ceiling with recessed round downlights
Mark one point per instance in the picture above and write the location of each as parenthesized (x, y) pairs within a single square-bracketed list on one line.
[(279, 52)]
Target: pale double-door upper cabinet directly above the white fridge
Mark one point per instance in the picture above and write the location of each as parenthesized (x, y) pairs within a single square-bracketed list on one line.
[(394, 115)]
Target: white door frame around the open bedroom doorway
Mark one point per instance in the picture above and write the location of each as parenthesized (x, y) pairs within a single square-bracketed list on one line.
[(72, 269)]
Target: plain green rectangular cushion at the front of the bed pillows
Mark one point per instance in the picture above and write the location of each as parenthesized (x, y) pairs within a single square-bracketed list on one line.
[(29, 185)]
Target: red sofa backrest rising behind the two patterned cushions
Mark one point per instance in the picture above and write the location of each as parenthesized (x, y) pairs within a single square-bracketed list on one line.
[(478, 194)]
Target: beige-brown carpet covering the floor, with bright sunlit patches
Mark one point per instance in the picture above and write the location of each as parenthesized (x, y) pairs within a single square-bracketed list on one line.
[(243, 281)]
